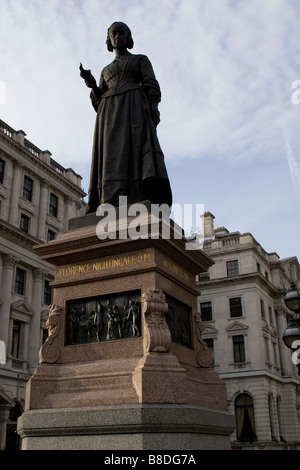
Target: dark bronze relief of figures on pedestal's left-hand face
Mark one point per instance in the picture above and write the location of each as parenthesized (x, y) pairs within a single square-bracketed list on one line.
[(103, 318)]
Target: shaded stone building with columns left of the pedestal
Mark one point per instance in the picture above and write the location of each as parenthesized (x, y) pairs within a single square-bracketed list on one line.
[(37, 197)]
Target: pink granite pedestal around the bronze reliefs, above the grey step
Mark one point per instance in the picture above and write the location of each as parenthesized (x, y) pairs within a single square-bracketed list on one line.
[(147, 369)]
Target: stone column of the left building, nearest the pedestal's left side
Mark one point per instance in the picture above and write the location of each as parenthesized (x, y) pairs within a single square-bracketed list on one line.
[(35, 324)]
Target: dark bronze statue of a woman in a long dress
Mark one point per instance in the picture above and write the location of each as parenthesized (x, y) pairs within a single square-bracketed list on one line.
[(127, 159)]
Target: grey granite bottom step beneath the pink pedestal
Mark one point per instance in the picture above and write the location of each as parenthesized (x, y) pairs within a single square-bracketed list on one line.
[(126, 427)]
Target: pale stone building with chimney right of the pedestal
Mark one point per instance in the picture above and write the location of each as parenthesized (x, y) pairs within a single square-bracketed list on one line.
[(242, 303)]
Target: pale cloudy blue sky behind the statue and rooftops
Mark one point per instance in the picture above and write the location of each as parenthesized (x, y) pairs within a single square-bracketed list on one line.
[(230, 112)]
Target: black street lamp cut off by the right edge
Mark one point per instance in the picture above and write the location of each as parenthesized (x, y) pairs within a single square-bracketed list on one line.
[(292, 332)]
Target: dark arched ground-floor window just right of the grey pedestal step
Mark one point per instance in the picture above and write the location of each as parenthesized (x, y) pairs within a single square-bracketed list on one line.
[(244, 414)]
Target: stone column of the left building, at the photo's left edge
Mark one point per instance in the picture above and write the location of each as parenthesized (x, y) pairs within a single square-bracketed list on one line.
[(9, 262)]
